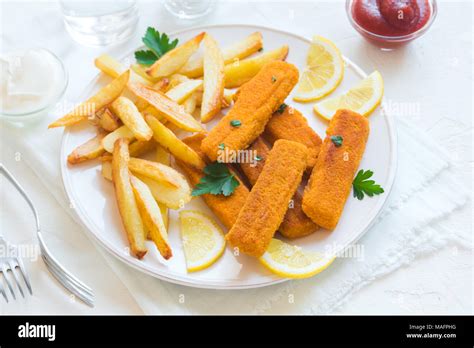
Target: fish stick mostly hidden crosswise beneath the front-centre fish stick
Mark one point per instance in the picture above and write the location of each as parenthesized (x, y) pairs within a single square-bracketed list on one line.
[(295, 223)]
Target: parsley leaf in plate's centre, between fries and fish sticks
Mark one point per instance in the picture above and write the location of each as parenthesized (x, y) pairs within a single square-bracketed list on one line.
[(218, 180)]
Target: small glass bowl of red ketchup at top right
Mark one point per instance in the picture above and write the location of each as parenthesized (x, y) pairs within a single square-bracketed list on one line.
[(390, 23)]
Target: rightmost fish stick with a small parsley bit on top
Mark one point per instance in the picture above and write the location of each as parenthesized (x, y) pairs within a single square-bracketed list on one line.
[(331, 180)]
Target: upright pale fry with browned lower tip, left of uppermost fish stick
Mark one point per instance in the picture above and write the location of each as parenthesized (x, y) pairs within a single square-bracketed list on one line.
[(213, 79)]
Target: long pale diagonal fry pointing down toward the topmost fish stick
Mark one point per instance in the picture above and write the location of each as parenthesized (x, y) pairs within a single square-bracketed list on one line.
[(168, 108)]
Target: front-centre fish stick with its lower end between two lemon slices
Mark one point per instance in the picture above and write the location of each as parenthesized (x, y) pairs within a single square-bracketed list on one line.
[(268, 200)]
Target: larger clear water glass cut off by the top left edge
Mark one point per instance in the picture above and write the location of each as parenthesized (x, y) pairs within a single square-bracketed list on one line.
[(100, 22)]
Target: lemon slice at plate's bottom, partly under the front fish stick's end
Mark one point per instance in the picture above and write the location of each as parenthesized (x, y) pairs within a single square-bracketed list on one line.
[(290, 261)]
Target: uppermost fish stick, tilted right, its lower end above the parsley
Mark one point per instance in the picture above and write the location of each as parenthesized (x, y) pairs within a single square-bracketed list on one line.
[(258, 99)]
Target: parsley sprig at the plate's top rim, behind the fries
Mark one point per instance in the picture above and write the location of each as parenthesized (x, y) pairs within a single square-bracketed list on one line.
[(158, 44)]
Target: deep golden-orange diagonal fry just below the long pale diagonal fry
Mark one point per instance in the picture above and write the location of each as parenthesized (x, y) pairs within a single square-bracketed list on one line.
[(173, 144)]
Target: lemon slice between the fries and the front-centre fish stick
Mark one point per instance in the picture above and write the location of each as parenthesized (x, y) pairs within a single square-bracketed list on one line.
[(203, 240)]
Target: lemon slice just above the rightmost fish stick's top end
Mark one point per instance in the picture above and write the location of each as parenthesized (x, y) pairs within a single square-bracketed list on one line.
[(362, 99)]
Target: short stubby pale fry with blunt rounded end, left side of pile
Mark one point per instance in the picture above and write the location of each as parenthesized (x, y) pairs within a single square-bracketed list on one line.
[(126, 110)]
